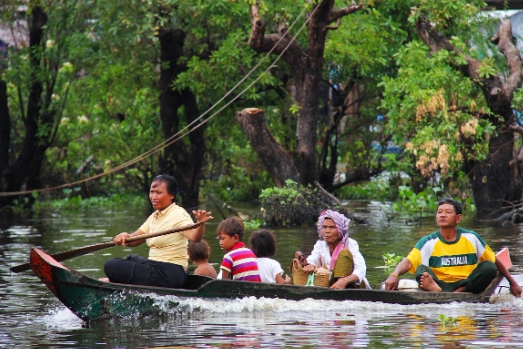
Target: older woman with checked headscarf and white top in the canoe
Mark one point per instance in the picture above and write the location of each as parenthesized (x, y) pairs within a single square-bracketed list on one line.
[(339, 252)]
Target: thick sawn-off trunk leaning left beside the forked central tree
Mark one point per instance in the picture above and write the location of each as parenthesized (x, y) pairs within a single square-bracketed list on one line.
[(268, 149)]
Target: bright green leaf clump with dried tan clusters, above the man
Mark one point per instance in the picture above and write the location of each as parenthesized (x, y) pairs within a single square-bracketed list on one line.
[(426, 101)]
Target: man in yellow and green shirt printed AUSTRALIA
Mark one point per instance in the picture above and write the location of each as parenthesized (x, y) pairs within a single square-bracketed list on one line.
[(452, 259)]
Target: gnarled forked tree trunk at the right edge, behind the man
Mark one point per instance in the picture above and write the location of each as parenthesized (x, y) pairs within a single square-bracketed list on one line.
[(496, 181)]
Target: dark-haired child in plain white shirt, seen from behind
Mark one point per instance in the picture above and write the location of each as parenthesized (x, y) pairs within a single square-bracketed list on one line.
[(263, 244)]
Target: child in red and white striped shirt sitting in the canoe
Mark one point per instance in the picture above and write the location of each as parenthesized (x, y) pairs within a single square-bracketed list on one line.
[(239, 262)]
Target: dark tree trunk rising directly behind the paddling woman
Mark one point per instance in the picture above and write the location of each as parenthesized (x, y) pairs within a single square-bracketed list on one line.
[(184, 162)]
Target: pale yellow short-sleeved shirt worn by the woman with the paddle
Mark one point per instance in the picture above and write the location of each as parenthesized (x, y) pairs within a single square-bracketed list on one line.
[(171, 248)]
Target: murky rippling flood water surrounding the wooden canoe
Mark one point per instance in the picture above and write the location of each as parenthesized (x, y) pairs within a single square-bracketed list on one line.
[(30, 316)]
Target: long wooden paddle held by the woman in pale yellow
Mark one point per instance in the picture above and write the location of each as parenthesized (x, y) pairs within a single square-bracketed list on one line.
[(61, 256)]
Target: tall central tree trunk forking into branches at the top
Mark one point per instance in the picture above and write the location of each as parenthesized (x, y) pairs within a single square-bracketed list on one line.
[(306, 66)]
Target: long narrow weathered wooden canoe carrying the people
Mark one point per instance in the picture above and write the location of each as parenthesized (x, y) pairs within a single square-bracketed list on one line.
[(91, 299)]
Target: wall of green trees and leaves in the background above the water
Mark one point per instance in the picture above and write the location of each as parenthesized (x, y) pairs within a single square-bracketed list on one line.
[(387, 102)]
